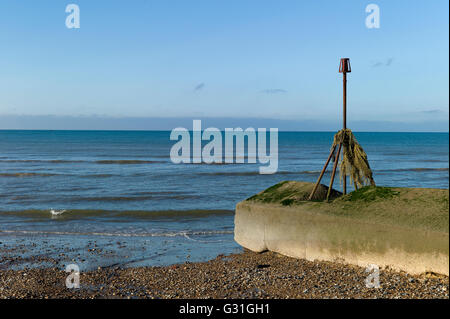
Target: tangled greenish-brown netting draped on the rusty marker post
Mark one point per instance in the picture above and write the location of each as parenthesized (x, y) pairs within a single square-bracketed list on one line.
[(354, 160)]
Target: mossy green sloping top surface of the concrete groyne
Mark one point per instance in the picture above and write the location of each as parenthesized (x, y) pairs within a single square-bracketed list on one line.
[(421, 208)]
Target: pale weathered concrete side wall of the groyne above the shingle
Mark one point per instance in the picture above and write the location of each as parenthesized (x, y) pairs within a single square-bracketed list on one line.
[(303, 232)]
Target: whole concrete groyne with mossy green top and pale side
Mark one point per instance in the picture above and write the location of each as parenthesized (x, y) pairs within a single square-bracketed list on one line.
[(400, 228)]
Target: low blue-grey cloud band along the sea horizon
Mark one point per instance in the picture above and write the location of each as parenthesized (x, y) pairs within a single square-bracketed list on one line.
[(59, 122)]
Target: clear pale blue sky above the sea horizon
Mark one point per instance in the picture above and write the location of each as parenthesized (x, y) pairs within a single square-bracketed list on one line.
[(272, 60)]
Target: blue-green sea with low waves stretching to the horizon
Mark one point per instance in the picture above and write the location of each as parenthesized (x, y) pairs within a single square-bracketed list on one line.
[(117, 185)]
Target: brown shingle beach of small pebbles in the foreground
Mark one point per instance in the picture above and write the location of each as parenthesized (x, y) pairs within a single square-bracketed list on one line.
[(244, 275)]
